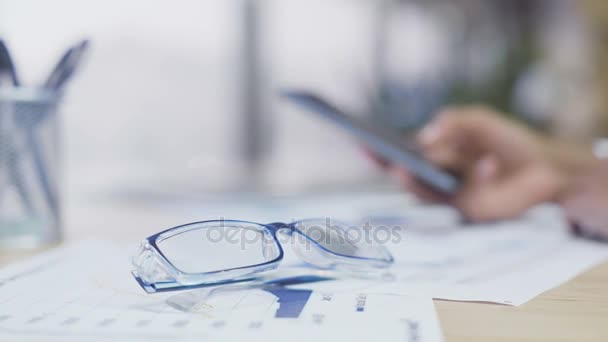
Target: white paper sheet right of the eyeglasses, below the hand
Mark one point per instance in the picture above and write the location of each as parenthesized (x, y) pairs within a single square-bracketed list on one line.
[(508, 263)]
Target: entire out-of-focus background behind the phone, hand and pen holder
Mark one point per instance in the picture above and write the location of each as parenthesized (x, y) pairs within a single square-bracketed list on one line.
[(180, 97)]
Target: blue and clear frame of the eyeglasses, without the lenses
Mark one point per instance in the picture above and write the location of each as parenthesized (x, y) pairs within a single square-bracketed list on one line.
[(155, 273)]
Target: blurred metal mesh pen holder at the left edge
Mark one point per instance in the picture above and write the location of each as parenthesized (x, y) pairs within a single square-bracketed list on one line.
[(30, 213)]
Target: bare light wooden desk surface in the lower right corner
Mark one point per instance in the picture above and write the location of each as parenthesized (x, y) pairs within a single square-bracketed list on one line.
[(575, 311)]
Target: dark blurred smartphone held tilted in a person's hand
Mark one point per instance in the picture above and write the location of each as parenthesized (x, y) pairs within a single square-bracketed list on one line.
[(385, 142)]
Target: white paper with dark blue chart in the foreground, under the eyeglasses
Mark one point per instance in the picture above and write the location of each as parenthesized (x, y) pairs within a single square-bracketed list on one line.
[(85, 291)]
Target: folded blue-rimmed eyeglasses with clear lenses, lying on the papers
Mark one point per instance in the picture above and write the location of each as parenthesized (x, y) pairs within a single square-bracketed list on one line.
[(211, 253)]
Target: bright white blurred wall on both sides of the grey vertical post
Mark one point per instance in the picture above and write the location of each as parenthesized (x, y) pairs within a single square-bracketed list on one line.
[(155, 106)]
